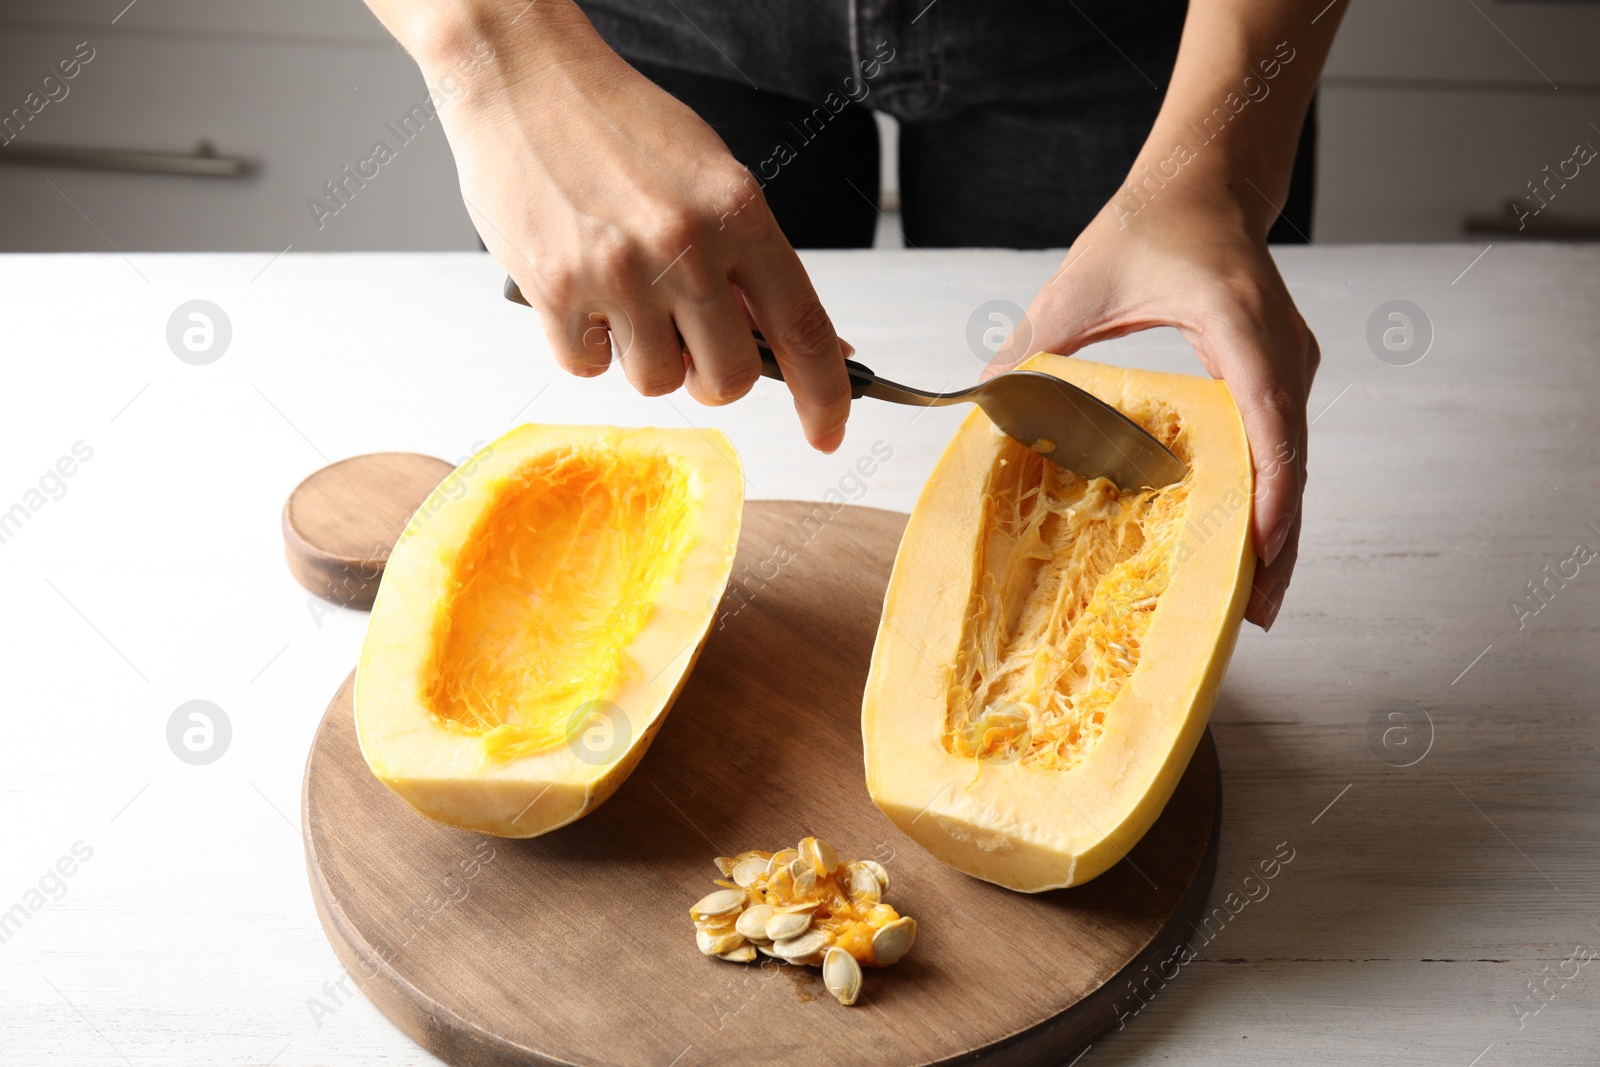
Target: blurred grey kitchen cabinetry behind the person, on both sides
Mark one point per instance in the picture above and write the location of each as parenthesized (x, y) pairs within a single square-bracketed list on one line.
[(215, 126)]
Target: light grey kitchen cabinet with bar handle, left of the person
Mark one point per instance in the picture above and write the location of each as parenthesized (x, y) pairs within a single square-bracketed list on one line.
[(298, 111)]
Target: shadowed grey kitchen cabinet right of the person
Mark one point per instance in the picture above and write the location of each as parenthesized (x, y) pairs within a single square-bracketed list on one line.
[(1436, 113)]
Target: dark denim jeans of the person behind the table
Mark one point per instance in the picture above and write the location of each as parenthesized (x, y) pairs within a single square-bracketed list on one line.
[(1018, 118)]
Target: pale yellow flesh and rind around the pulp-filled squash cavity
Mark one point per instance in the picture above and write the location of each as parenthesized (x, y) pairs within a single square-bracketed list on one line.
[(1042, 829)]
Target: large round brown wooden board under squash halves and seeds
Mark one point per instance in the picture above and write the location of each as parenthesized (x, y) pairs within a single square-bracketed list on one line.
[(577, 948)]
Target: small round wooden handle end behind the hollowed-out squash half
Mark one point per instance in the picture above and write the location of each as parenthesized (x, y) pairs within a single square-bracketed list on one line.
[(342, 522)]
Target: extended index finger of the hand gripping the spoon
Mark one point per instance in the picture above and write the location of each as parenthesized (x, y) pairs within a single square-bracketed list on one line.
[(794, 322)]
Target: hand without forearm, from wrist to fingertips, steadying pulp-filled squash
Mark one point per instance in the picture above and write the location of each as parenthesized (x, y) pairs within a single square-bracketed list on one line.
[(1198, 262)]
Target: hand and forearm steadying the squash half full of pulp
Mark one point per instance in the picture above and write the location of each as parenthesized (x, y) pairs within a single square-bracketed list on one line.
[(1185, 246)]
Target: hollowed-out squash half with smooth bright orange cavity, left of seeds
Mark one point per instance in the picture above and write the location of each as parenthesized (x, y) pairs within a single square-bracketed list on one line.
[(538, 618)]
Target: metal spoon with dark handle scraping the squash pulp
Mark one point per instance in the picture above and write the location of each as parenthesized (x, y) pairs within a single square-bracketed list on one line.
[(1055, 418)]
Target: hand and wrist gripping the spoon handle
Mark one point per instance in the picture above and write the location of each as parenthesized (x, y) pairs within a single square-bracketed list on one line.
[(618, 212)]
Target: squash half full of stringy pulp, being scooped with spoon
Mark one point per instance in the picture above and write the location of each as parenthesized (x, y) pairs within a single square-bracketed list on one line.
[(1052, 647)]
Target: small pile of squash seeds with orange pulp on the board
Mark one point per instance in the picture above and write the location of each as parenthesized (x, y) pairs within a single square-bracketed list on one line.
[(806, 908)]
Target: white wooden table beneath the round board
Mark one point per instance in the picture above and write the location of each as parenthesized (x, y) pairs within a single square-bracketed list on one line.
[(1433, 914)]
